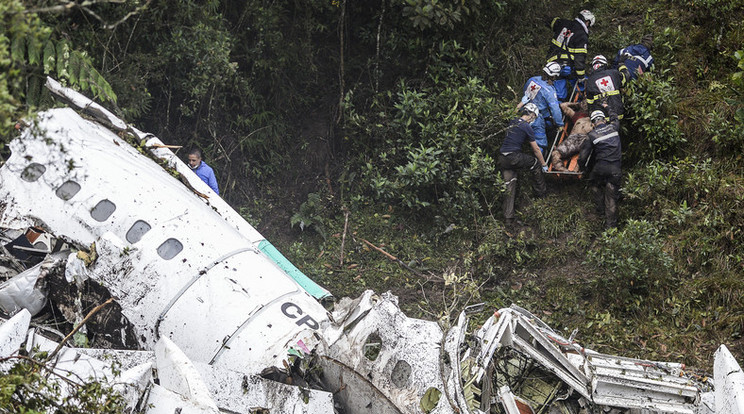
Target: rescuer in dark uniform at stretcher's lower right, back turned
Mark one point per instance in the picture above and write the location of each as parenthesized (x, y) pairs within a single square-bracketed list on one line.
[(604, 143)]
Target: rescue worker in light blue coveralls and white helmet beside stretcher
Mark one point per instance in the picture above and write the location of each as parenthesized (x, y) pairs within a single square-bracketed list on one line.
[(540, 91)]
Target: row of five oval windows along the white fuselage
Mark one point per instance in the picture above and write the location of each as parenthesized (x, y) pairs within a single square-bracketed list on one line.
[(103, 210)]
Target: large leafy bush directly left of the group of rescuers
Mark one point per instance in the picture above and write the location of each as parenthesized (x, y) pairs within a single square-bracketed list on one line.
[(430, 146)]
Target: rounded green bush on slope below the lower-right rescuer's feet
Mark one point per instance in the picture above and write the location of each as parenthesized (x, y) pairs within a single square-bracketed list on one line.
[(631, 264)]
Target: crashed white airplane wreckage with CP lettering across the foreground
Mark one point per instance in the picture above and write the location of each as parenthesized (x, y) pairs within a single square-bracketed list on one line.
[(206, 316)]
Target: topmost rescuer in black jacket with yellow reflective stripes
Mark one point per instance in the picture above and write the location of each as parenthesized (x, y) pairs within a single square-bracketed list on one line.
[(568, 48)]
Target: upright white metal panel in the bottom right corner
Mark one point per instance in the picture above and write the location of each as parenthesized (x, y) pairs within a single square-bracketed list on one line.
[(729, 381)]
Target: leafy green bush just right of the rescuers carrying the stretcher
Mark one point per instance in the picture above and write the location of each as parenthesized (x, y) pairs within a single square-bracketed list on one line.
[(652, 108)]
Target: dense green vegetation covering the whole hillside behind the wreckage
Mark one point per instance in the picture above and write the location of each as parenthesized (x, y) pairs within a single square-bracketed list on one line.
[(377, 123)]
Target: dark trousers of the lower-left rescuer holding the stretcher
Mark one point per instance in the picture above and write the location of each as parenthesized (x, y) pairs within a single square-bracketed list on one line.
[(510, 165)]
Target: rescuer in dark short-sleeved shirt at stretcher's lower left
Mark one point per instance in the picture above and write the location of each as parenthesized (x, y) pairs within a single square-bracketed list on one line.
[(511, 159)]
